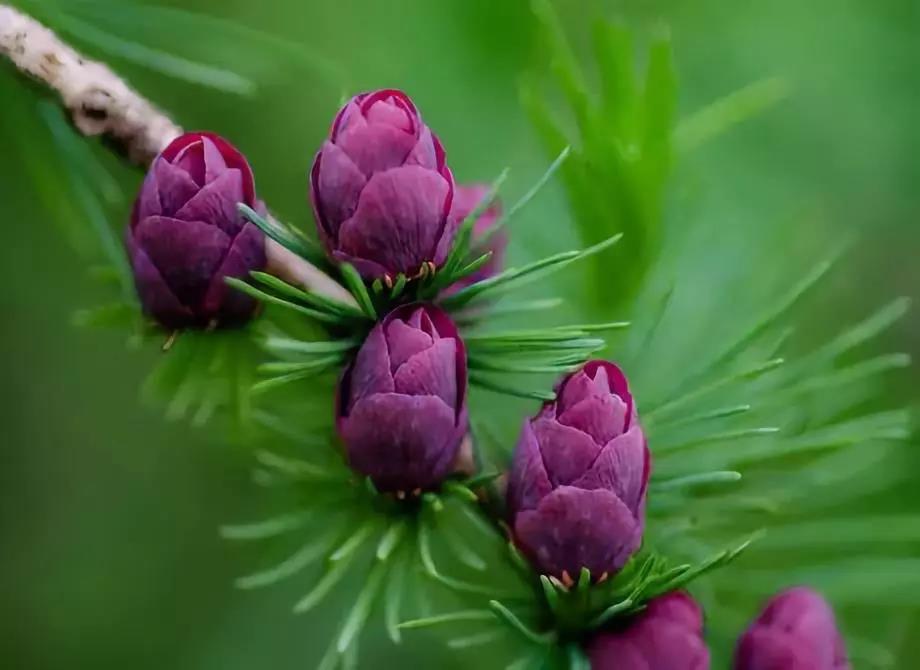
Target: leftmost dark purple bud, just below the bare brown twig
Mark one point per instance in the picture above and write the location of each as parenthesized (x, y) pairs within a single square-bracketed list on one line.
[(186, 235)]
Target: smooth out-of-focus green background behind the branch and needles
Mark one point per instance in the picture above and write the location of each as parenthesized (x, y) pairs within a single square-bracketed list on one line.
[(109, 555)]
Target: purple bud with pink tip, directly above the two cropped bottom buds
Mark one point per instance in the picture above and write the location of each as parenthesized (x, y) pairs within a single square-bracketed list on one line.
[(576, 493)]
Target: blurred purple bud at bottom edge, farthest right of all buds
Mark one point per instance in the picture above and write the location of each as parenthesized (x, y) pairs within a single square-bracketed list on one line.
[(795, 631)]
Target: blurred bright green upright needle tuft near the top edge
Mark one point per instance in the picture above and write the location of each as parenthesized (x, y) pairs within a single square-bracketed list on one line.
[(616, 174)]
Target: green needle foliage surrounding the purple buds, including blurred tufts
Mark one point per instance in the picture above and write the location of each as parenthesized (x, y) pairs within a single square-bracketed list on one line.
[(759, 435)]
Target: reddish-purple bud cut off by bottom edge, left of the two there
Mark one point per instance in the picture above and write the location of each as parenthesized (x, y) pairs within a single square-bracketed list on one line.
[(667, 635)]
